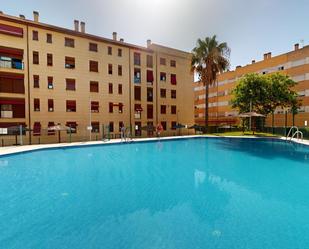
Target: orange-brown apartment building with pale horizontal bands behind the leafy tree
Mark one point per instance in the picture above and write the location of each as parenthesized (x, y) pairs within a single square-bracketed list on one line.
[(294, 63)]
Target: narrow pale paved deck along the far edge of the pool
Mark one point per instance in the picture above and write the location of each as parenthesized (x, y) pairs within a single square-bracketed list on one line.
[(25, 148)]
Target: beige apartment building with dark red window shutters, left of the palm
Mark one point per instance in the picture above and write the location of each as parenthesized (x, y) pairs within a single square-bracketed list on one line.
[(55, 76)]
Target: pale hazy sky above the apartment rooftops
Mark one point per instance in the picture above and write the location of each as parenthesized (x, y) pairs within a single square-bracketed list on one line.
[(250, 27)]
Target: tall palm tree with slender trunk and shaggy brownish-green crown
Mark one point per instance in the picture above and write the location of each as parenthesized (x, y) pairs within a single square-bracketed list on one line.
[(209, 58)]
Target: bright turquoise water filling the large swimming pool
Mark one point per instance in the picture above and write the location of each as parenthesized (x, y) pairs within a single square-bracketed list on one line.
[(186, 194)]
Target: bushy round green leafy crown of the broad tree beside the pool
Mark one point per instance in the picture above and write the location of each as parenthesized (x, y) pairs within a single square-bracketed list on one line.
[(265, 93)]
